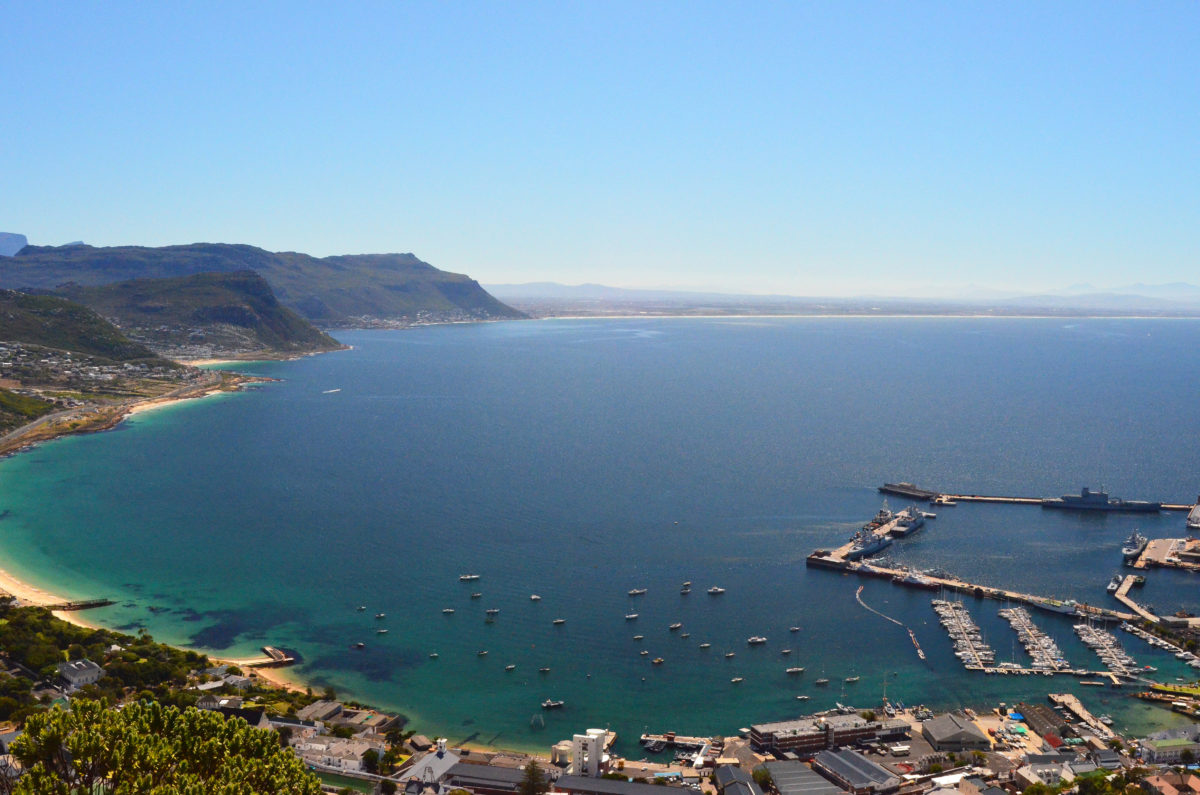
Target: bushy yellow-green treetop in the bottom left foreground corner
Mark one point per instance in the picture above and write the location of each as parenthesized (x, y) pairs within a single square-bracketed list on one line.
[(148, 748)]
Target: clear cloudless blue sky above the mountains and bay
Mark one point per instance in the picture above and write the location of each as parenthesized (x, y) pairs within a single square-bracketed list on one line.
[(830, 148)]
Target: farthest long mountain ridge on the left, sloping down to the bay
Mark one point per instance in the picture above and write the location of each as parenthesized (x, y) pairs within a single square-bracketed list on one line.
[(343, 291)]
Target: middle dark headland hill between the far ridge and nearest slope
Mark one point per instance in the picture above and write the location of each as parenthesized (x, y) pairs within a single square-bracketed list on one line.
[(203, 315)]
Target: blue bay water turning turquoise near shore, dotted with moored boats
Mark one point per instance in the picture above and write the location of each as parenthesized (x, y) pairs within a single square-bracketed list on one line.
[(578, 461)]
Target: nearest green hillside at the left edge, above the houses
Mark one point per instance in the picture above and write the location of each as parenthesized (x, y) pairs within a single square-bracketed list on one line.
[(56, 322)]
